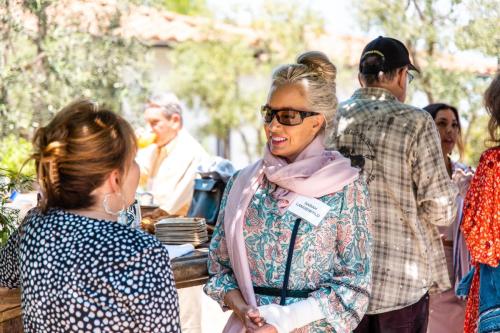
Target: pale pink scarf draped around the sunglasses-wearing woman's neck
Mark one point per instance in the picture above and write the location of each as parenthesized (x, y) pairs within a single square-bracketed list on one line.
[(315, 173)]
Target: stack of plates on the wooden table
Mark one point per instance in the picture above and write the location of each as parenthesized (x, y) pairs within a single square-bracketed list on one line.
[(182, 230)]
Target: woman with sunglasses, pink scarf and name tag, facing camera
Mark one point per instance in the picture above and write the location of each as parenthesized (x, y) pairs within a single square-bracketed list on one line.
[(292, 248)]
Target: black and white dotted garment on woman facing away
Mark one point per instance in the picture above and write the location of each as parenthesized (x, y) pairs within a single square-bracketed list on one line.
[(79, 274)]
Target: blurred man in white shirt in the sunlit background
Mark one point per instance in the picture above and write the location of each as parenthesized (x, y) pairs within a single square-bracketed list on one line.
[(168, 167)]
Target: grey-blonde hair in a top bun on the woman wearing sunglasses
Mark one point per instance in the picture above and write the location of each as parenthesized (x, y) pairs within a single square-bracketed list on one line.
[(316, 75)]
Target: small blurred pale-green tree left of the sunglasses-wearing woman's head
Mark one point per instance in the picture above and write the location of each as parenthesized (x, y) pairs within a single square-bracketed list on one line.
[(210, 73)]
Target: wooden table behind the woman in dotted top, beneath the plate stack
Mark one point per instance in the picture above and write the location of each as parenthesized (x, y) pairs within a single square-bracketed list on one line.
[(189, 270)]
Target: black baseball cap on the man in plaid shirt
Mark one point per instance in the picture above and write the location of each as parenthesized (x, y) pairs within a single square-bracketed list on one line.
[(393, 54)]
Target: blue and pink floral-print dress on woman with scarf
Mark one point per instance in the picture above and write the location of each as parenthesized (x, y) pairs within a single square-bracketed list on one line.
[(333, 258)]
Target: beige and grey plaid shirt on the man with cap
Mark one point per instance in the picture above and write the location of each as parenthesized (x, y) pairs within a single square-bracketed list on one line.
[(398, 148)]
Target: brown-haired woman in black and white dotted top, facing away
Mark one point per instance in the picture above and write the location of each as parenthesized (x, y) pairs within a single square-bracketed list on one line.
[(79, 268)]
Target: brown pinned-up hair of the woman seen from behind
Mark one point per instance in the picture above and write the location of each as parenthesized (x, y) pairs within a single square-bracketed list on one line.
[(77, 150)]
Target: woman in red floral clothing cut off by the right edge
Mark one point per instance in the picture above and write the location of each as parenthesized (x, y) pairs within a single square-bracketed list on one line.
[(481, 228)]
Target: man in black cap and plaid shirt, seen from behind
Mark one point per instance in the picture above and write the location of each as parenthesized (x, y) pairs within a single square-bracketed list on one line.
[(398, 149)]
